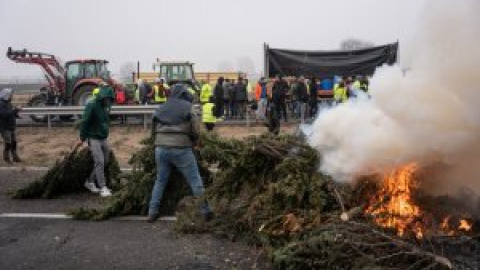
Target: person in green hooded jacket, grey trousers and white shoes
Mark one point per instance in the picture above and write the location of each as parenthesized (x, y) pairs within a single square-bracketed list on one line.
[(94, 129)]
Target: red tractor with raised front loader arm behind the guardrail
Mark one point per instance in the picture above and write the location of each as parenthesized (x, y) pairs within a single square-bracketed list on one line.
[(71, 84)]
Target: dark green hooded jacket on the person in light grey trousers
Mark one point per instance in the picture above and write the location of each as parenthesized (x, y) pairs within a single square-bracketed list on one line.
[(95, 120)]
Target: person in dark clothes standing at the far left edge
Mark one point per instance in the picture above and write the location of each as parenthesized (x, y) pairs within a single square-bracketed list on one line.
[(8, 115)]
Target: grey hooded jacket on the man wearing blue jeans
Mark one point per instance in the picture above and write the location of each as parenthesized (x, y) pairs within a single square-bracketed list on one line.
[(174, 123)]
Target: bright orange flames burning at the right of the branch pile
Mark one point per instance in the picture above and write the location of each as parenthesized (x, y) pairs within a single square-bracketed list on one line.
[(393, 206)]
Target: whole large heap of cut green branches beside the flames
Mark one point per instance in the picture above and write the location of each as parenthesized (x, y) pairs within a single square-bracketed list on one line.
[(267, 190)]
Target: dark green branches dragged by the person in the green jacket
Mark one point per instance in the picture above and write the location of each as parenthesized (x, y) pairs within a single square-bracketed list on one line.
[(68, 176)]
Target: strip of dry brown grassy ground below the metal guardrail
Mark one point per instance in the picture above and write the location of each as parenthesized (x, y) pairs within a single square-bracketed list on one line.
[(40, 147)]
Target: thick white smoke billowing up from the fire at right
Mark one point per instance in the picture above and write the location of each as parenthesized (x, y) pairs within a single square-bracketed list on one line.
[(429, 114)]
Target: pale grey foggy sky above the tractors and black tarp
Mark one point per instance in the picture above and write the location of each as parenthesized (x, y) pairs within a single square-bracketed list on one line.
[(205, 32)]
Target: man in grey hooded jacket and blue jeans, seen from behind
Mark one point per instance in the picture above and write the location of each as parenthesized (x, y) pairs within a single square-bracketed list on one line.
[(176, 132)]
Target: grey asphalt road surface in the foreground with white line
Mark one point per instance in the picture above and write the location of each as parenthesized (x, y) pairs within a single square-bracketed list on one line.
[(31, 243)]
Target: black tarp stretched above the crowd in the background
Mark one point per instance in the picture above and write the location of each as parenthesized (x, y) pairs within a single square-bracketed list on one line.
[(323, 64)]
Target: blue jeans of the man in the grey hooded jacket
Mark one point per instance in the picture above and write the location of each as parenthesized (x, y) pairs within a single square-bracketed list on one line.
[(184, 160)]
